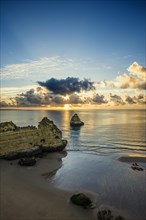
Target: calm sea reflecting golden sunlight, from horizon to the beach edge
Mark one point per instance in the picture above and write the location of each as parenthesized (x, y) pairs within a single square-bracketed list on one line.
[(105, 131)]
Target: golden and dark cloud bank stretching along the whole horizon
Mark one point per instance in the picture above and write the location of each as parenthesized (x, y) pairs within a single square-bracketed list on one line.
[(73, 91)]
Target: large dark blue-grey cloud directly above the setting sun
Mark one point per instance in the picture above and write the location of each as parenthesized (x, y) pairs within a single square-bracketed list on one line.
[(69, 85)]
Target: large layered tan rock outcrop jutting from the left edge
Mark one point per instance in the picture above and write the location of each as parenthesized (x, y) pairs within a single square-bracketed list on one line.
[(19, 142)]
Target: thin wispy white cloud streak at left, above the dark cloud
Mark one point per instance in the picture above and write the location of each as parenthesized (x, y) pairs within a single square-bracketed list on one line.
[(29, 68)]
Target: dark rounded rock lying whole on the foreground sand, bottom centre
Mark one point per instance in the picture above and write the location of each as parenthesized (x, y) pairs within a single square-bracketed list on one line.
[(81, 200)]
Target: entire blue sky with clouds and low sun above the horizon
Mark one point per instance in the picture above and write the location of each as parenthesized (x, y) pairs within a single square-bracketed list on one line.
[(73, 53)]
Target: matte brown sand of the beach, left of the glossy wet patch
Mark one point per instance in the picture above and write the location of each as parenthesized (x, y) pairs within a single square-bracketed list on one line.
[(29, 193)]
